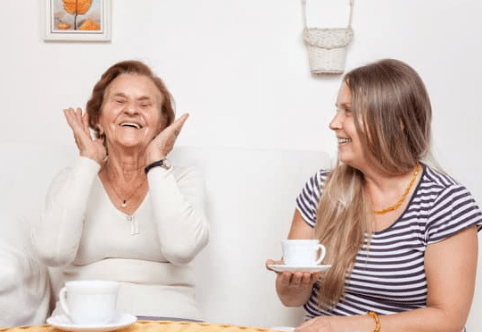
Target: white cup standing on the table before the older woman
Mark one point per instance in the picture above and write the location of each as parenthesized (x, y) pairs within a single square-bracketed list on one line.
[(90, 302)]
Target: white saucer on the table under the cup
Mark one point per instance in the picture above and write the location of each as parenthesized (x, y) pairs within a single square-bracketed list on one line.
[(63, 322)]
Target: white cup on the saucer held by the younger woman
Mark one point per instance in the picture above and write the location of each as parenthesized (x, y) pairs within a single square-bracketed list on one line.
[(303, 252)]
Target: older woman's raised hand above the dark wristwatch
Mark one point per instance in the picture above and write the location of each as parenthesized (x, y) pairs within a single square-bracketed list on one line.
[(163, 143)]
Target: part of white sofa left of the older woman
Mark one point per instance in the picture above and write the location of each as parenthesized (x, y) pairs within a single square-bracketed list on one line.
[(25, 173)]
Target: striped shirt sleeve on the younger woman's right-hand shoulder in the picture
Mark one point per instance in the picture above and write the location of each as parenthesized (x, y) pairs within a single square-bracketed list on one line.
[(454, 210)]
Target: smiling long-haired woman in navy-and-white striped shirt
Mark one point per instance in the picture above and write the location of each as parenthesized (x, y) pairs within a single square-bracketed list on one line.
[(401, 236)]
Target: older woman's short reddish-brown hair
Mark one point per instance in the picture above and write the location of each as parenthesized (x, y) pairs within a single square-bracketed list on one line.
[(95, 102)]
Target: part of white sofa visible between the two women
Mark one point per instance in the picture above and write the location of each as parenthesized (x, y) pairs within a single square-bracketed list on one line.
[(251, 200)]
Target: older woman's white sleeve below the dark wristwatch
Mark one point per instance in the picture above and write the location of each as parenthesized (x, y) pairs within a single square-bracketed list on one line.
[(178, 206)]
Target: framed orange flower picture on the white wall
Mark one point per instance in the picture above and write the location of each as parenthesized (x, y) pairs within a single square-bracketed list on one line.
[(77, 20)]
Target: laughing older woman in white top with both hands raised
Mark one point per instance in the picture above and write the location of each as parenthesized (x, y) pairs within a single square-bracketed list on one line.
[(123, 212)]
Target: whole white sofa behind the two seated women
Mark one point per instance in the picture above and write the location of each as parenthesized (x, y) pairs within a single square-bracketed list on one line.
[(250, 201)]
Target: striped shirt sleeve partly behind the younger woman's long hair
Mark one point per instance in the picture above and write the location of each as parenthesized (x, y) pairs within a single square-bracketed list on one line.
[(307, 201)]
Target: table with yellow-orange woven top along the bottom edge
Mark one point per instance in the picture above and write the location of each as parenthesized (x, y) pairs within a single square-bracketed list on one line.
[(155, 326)]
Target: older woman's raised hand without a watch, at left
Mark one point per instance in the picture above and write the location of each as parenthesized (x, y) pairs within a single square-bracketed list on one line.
[(88, 147)]
